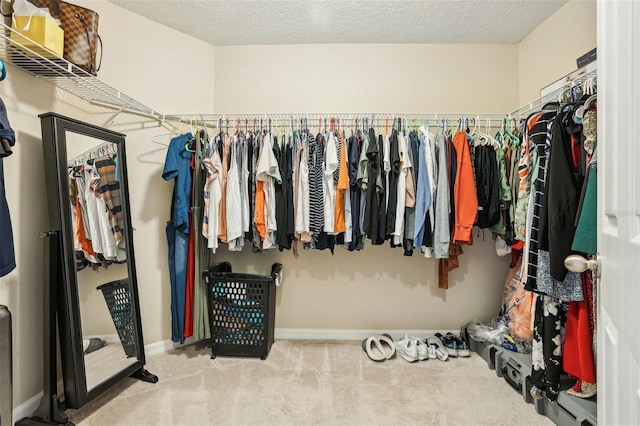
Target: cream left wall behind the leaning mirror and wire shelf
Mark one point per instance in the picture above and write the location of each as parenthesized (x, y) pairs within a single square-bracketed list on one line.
[(150, 63)]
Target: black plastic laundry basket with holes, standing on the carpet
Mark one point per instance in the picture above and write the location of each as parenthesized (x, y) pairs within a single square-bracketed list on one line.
[(241, 311)]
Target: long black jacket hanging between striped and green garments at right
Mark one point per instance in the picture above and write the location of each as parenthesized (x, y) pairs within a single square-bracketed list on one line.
[(563, 187)]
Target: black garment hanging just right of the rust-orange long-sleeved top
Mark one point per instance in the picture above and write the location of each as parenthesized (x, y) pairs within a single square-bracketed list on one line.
[(487, 186)]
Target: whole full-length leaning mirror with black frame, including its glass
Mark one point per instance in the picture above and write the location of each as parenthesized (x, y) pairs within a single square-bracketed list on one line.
[(99, 319)]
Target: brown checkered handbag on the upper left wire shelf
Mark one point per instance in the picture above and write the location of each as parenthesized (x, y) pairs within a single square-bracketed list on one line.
[(81, 37)]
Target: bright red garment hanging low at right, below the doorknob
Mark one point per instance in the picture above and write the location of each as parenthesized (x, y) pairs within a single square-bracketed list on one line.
[(578, 359)]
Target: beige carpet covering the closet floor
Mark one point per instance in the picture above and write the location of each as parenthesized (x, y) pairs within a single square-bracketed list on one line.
[(306, 383)]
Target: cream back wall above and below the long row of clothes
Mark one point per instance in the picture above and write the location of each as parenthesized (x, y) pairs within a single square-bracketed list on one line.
[(377, 288)]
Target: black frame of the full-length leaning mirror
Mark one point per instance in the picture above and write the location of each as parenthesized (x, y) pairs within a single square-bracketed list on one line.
[(54, 127)]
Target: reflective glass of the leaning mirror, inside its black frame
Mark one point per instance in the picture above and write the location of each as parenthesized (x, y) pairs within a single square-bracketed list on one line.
[(100, 256)]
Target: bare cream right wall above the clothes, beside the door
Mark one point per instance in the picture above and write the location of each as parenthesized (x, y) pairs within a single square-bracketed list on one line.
[(550, 51)]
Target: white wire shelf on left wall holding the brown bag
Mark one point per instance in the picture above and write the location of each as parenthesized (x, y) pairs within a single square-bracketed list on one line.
[(45, 64)]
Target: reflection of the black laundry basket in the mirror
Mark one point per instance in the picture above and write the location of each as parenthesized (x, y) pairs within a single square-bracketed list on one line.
[(118, 298)]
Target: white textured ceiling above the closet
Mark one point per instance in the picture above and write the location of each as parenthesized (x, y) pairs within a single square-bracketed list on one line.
[(237, 22)]
